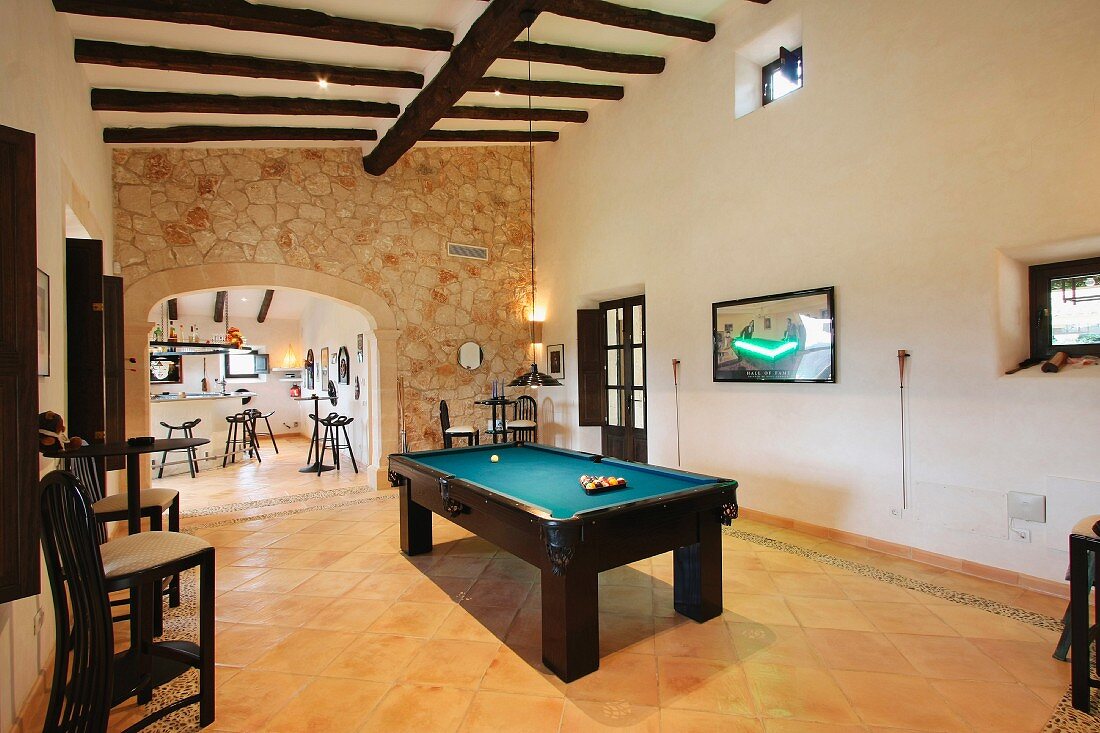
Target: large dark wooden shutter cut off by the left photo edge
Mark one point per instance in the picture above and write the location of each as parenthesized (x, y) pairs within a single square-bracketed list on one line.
[(19, 434)]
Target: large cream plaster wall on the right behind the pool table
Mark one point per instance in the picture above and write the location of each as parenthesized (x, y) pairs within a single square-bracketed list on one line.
[(934, 145)]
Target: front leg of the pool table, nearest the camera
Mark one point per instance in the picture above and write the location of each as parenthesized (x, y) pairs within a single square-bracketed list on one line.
[(571, 620)]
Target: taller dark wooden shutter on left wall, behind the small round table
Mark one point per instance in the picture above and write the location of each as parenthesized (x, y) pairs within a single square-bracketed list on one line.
[(84, 283)]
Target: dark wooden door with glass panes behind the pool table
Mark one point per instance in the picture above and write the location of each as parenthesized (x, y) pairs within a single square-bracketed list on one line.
[(624, 429)]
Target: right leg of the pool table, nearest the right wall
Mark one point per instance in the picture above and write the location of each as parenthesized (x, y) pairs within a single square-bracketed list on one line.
[(697, 581)]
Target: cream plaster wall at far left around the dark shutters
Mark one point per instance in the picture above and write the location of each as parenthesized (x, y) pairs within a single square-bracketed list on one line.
[(43, 92)]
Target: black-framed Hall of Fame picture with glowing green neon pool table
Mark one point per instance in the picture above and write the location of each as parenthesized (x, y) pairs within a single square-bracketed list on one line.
[(788, 337)]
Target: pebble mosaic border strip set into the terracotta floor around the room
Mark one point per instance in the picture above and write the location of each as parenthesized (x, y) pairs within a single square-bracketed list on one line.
[(181, 622)]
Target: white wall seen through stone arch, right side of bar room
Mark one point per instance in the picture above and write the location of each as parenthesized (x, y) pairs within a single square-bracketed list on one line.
[(333, 325)]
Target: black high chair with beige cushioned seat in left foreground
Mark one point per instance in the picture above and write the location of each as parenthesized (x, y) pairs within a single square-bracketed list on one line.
[(90, 680)]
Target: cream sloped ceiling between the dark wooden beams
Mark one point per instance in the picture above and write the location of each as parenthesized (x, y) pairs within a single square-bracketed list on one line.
[(448, 15)]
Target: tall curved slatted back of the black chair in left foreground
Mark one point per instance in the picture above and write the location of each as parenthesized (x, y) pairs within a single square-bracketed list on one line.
[(81, 696)]
